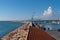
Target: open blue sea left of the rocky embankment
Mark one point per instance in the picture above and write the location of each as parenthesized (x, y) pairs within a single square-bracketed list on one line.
[(8, 26)]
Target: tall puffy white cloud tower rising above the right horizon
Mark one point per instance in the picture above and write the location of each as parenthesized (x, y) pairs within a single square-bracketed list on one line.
[(47, 14)]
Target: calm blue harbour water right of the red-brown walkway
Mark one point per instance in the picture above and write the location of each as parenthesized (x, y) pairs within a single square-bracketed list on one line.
[(53, 26)]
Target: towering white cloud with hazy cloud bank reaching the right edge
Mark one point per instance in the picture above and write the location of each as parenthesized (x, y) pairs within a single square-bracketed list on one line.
[(49, 15)]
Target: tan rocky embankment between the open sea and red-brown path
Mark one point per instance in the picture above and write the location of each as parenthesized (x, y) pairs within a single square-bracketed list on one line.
[(20, 33)]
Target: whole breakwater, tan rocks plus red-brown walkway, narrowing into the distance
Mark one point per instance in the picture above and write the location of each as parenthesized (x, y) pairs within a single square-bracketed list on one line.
[(26, 32)]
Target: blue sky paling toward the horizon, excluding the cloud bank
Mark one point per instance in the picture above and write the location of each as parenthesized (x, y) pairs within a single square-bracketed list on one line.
[(24, 9)]
